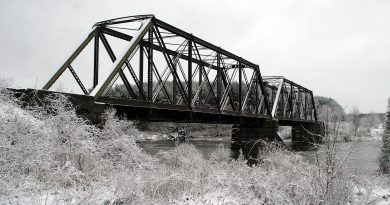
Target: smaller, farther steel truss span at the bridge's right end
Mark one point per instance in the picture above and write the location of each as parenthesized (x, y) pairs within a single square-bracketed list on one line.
[(289, 100)]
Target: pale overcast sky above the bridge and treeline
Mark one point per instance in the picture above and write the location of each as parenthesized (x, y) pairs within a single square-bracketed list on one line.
[(337, 48)]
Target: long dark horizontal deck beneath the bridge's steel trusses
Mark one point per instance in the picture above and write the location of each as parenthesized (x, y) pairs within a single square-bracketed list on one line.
[(92, 109)]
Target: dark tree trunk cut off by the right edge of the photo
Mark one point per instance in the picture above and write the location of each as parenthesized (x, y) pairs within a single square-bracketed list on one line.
[(385, 152)]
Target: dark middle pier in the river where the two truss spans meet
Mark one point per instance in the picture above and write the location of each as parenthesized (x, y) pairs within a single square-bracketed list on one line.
[(250, 138)]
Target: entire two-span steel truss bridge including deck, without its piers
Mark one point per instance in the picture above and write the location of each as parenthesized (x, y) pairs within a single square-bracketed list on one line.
[(167, 74)]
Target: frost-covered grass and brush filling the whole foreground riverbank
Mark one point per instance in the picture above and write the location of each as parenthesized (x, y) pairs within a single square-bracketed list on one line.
[(49, 155)]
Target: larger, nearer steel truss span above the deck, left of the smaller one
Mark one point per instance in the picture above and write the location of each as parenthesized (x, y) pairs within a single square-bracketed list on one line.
[(163, 64)]
